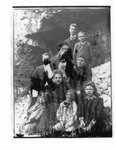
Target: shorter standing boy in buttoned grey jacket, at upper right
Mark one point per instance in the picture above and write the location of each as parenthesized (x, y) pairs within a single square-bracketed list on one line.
[(82, 47)]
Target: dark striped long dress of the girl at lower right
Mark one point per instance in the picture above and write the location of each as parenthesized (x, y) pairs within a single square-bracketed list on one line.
[(92, 110)]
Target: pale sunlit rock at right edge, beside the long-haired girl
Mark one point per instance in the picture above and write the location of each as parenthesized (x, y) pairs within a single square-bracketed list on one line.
[(102, 78)]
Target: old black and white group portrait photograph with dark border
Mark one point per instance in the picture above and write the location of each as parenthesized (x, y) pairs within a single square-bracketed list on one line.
[(62, 72)]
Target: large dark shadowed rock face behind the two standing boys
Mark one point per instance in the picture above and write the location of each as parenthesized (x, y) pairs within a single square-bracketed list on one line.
[(95, 22)]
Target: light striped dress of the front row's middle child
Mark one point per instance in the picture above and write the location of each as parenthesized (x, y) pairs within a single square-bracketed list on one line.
[(67, 115)]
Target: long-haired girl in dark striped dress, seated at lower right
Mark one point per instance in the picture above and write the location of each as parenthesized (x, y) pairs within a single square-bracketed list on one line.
[(91, 122)]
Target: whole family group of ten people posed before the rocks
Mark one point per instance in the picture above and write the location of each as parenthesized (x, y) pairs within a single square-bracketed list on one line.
[(67, 102)]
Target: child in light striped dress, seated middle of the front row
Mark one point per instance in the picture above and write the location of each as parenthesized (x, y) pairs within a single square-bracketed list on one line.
[(67, 113)]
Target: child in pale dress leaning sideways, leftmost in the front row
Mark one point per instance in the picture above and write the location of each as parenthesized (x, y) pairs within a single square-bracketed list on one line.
[(37, 120)]
